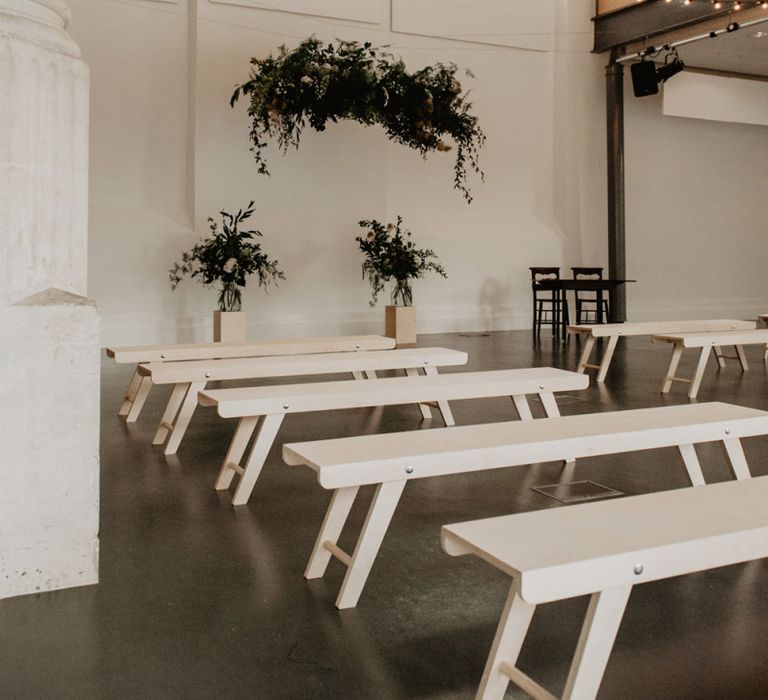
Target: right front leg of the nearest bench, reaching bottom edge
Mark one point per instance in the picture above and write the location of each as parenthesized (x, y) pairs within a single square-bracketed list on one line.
[(598, 634)]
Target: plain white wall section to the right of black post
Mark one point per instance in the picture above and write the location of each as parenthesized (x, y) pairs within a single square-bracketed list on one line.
[(696, 213)]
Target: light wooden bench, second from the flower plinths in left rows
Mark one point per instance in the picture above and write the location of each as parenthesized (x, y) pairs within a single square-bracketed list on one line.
[(191, 377)]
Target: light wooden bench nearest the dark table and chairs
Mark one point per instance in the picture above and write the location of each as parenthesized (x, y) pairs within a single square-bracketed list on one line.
[(614, 331)]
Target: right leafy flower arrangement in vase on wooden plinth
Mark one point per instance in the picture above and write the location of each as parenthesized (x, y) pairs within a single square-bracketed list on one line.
[(391, 256)]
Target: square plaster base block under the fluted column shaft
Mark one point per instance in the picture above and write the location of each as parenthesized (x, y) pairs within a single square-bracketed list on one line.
[(49, 471)]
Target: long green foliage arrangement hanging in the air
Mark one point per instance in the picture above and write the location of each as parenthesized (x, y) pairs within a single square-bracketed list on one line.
[(316, 83)]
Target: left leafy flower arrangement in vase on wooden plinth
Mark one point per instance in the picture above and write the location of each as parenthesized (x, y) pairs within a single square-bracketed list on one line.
[(227, 257)]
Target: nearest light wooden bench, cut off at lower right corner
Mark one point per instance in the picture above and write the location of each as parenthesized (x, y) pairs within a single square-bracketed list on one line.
[(554, 554)]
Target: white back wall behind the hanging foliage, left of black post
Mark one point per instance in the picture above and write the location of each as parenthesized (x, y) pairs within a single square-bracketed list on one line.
[(168, 151)]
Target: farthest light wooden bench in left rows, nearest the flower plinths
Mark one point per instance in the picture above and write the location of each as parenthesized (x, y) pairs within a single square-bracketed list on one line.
[(138, 390)]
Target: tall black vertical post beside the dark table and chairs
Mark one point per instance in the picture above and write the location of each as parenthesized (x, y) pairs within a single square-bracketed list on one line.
[(617, 269)]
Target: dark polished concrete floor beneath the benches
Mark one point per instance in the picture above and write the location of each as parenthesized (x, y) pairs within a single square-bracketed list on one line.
[(199, 599)]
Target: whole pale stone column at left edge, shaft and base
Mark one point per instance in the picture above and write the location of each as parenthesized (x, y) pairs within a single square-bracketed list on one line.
[(49, 354)]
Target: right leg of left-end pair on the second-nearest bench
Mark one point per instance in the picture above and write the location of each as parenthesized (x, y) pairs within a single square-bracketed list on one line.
[(376, 523)]
